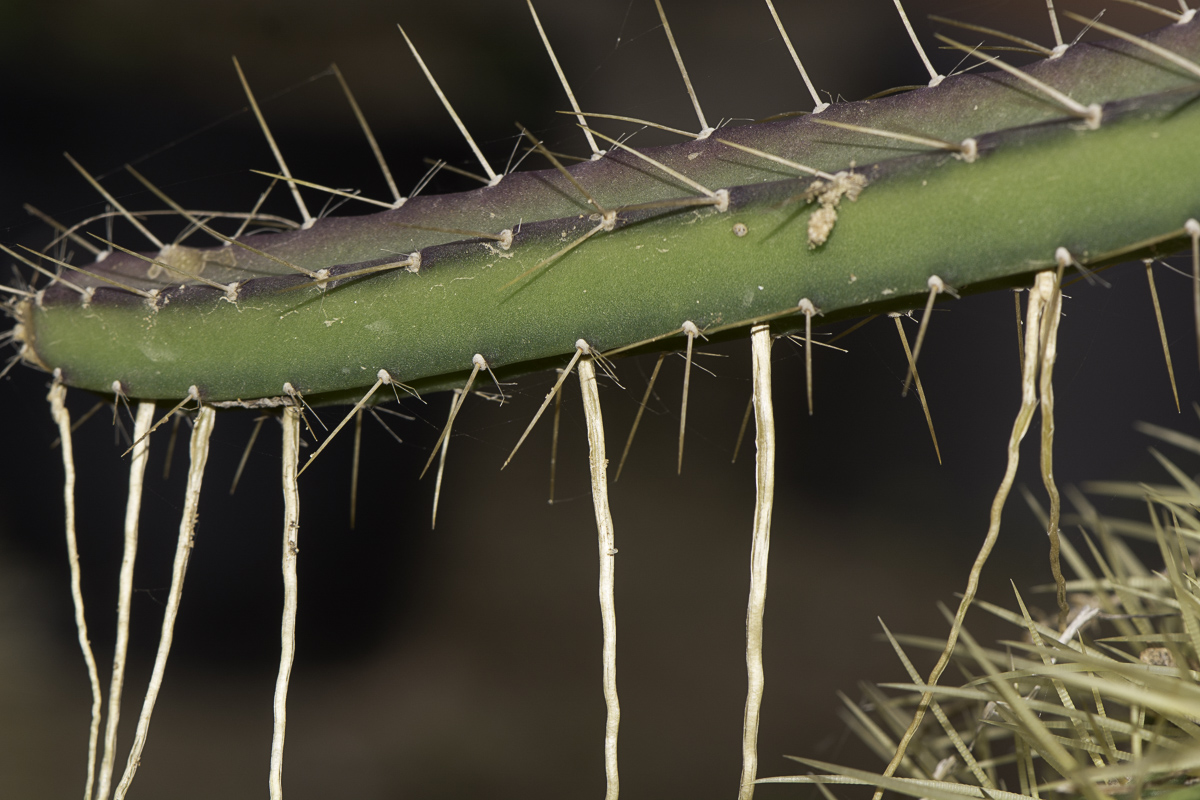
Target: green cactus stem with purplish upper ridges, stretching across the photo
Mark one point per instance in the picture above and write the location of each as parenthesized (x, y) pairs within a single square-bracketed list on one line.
[(1037, 187)]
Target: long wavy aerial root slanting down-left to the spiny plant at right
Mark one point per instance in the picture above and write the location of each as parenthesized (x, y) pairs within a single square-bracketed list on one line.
[(1041, 297)]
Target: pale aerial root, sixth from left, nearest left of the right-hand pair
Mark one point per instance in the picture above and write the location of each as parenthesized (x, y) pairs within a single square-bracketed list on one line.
[(765, 483)]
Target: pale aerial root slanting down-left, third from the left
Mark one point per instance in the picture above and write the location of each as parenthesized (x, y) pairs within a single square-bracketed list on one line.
[(200, 455)]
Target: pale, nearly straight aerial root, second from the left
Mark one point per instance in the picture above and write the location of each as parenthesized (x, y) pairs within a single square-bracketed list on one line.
[(125, 592)]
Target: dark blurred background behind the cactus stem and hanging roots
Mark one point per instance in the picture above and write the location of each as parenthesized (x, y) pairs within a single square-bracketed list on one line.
[(466, 661)]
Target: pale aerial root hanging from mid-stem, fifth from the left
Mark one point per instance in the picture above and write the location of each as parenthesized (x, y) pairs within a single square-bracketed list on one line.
[(608, 550)]
